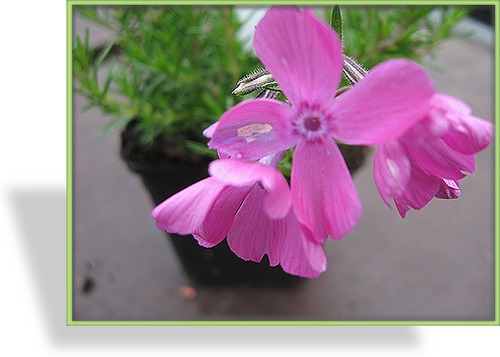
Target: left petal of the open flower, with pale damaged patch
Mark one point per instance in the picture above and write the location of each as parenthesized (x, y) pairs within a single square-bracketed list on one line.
[(254, 129)]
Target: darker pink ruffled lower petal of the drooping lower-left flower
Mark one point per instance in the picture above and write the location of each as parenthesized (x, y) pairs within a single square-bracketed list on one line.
[(254, 234)]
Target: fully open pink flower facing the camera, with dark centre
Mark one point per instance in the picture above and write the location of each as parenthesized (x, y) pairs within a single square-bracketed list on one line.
[(305, 57)]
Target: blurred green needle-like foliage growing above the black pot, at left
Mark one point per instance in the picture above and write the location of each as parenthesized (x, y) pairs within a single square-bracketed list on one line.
[(170, 67)]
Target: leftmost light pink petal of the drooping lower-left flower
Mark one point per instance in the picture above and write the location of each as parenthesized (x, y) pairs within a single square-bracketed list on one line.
[(185, 211)]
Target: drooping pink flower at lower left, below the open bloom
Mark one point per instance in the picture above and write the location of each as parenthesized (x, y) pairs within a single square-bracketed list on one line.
[(250, 204)]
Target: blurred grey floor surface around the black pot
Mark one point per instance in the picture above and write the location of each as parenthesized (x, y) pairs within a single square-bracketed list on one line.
[(437, 264)]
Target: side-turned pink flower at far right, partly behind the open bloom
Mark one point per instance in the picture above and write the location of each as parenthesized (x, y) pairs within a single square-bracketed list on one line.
[(431, 157)]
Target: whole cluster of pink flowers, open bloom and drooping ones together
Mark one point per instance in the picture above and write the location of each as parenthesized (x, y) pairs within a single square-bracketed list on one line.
[(424, 141)]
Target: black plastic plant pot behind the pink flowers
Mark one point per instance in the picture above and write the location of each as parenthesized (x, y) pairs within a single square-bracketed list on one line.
[(217, 266)]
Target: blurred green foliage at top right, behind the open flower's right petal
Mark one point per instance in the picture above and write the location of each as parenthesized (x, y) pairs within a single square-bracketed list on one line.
[(373, 34)]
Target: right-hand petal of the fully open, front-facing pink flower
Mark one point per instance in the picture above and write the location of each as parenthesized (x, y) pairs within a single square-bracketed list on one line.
[(388, 101)]
